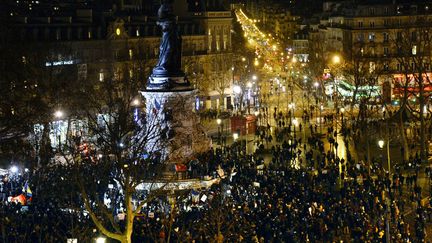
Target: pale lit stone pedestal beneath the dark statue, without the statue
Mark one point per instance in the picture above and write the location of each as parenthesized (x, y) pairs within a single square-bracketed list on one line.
[(179, 134)]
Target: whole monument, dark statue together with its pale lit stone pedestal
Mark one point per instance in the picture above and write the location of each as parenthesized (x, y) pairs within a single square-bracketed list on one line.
[(170, 99)]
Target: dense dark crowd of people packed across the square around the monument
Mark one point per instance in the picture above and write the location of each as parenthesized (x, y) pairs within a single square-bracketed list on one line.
[(303, 194)]
